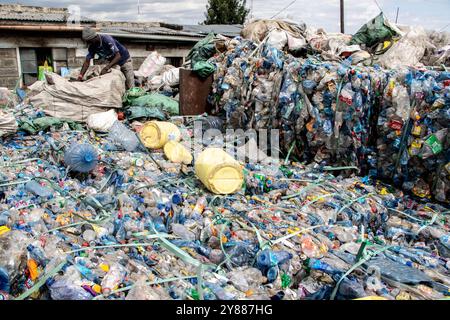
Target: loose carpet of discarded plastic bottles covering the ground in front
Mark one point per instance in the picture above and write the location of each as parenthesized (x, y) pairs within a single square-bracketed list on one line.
[(83, 218)]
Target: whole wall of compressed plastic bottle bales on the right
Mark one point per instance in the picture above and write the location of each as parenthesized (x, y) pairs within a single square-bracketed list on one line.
[(389, 124)]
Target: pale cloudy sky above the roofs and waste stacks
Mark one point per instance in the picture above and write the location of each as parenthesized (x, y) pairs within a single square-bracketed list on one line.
[(432, 14)]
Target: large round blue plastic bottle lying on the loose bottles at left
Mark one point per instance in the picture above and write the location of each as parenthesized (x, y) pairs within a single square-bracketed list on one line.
[(81, 157)]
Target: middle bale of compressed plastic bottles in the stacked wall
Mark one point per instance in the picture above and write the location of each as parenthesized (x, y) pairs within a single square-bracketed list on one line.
[(339, 99)]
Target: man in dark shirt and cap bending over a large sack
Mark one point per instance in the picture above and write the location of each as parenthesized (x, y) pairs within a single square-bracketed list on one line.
[(109, 49)]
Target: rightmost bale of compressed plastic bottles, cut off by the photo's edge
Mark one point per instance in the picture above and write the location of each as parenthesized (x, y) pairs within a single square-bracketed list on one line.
[(413, 139)]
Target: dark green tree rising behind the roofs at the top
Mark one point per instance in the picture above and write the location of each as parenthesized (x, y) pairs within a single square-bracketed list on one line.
[(226, 12)]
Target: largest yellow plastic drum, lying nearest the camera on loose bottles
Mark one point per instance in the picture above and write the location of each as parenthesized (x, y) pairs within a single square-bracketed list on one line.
[(218, 171)]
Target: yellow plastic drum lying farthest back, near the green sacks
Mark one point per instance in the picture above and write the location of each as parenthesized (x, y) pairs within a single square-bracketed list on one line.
[(155, 134)]
